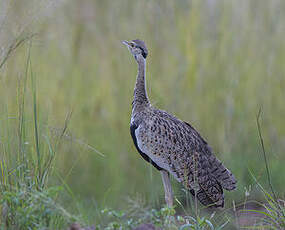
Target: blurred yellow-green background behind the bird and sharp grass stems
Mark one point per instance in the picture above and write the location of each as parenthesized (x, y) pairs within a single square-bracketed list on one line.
[(212, 63)]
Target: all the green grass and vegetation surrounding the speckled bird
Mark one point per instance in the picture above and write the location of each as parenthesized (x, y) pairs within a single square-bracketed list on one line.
[(66, 87)]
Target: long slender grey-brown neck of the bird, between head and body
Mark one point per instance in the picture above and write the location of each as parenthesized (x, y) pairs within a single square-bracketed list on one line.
[(140, 95)]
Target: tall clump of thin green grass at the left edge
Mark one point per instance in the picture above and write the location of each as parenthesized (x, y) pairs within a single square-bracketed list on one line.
[(27, 160)]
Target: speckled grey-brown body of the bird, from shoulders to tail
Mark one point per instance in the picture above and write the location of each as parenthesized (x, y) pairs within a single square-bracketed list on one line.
[(171, 144)]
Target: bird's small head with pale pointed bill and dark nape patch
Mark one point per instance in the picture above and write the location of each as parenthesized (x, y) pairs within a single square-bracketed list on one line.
[(137, 48)]
